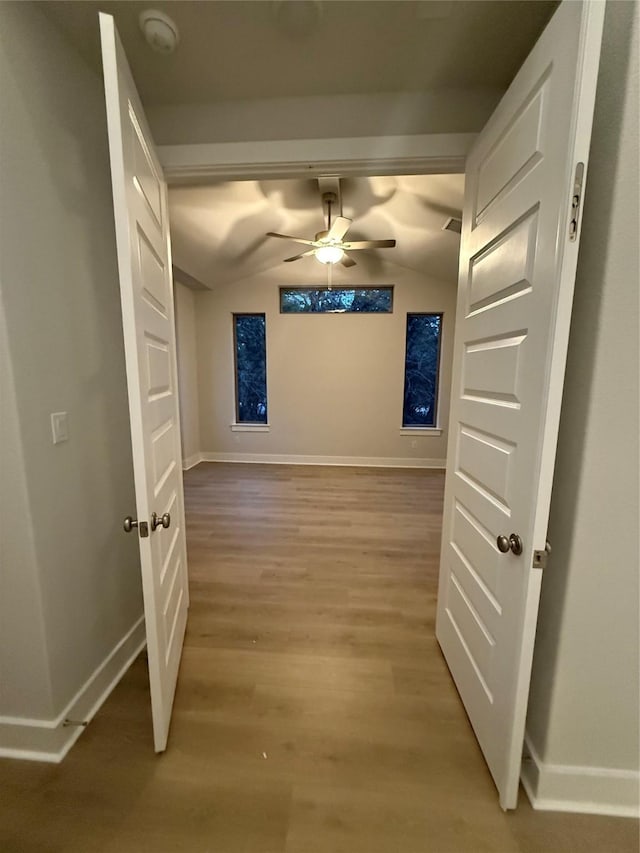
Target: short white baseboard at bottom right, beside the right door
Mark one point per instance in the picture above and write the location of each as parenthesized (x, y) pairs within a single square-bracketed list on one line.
[(589, 790)]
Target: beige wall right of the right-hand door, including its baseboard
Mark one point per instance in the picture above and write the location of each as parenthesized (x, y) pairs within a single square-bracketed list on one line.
[(584, 695)]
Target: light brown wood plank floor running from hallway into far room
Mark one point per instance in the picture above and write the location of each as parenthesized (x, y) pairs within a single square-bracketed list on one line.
[(314, 712)]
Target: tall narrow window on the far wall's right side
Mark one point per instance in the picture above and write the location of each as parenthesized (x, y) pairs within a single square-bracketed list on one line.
[(421, 370)]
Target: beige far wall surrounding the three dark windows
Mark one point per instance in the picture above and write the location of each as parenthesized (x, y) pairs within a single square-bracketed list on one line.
[(334, 382)]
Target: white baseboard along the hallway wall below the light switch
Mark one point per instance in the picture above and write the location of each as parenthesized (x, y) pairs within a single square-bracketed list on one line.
[(51, 740)]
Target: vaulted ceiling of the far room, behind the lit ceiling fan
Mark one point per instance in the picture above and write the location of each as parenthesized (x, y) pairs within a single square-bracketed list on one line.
[(218, 231)]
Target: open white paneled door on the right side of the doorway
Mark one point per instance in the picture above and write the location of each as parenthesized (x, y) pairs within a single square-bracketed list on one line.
[(517, 270)]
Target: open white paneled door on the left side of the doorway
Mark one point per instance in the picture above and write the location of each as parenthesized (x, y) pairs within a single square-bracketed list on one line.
[(146, 289)]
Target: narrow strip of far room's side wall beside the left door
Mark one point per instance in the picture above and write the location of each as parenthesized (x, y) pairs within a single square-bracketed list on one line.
[(187, 371)]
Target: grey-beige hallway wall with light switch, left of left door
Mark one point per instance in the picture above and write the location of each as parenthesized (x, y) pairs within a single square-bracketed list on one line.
[(59, 286)]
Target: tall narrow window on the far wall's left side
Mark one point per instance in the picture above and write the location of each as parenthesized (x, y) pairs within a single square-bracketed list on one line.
[(249, 338)]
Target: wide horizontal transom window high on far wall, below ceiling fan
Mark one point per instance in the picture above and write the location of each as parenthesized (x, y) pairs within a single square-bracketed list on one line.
[(337, 300)]
